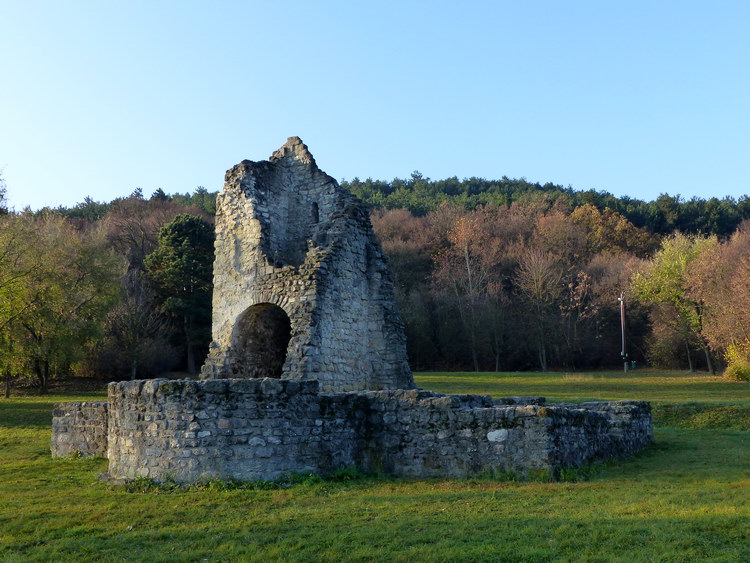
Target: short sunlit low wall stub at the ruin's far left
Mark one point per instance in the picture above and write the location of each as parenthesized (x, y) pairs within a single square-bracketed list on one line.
[(79, 429)]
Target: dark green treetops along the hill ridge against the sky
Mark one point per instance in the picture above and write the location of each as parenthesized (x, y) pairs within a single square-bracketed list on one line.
[(421, 195)]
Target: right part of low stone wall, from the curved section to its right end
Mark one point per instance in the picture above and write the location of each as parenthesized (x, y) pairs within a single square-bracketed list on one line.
[(419, 433)]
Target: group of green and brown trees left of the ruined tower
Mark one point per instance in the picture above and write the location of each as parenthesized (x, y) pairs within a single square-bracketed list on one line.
[(125, 294)]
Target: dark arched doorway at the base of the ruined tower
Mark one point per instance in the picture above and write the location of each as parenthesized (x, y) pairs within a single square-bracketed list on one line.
[(261, 337)]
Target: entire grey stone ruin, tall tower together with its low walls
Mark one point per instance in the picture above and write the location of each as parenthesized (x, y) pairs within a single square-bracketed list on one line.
[(307, 371)]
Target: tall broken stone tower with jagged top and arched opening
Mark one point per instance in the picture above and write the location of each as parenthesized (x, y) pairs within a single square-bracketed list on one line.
[(299, 276)]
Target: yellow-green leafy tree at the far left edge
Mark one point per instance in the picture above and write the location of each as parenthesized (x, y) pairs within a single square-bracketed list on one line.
[(59, 284)]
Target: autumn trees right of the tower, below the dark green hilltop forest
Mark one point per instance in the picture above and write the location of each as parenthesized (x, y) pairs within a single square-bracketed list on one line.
[(521, 287)]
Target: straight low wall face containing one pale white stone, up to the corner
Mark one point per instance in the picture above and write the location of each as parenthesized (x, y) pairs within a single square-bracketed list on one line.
[(422, 434)]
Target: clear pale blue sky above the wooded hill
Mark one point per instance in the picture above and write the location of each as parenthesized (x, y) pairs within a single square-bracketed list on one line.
[(636, 98)]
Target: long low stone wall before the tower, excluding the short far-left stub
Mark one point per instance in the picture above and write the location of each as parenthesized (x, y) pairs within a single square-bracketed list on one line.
[(268, 428)]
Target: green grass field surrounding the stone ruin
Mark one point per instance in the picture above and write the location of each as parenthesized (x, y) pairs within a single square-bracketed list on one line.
[(685, 499)]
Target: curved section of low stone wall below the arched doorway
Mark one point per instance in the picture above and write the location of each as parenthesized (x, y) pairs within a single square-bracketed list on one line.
[(241, 429)]
